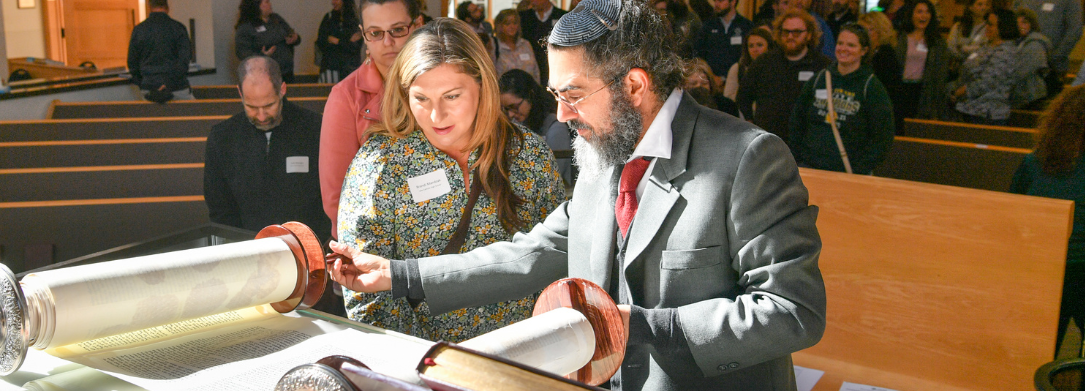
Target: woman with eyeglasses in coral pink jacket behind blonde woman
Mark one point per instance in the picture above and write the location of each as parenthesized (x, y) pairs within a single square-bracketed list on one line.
[(355, 103)]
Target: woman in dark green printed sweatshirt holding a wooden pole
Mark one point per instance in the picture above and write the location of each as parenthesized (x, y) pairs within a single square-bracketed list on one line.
[(862, 111)]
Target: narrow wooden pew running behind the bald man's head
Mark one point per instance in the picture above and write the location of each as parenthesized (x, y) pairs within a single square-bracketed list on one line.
[(60, 110)]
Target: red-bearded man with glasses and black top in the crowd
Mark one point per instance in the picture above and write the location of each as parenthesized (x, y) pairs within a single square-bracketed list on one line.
[(771, 86)]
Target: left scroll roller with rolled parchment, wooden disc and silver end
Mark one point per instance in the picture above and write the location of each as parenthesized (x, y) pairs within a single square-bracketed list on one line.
[(284, 267)]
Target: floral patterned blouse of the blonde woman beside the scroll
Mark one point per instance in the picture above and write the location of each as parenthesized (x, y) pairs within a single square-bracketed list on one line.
[(379, 216)]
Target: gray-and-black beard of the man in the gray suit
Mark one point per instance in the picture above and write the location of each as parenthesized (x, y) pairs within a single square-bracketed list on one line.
[(608, 149)]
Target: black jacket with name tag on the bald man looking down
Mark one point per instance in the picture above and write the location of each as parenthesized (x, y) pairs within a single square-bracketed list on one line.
[(247, 184)]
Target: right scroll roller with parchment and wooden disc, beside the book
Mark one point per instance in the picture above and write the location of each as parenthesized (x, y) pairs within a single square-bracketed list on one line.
[(577, 330)]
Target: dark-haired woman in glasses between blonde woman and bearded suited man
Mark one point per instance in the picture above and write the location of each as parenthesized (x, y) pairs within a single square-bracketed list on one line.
[(530, 105)]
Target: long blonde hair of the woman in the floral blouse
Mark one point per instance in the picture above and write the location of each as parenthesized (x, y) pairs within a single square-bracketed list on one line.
[(452, 42)]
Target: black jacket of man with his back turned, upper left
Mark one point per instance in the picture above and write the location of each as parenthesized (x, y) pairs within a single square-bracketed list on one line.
[(159, 54)]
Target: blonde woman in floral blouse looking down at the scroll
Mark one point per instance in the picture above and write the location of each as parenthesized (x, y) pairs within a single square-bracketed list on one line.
[(441, 143)]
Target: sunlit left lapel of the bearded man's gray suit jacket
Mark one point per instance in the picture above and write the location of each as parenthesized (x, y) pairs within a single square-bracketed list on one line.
[(605, 229)]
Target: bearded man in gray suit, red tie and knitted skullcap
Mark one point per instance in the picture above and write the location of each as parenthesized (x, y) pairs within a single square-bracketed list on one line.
[(717, 275)]
